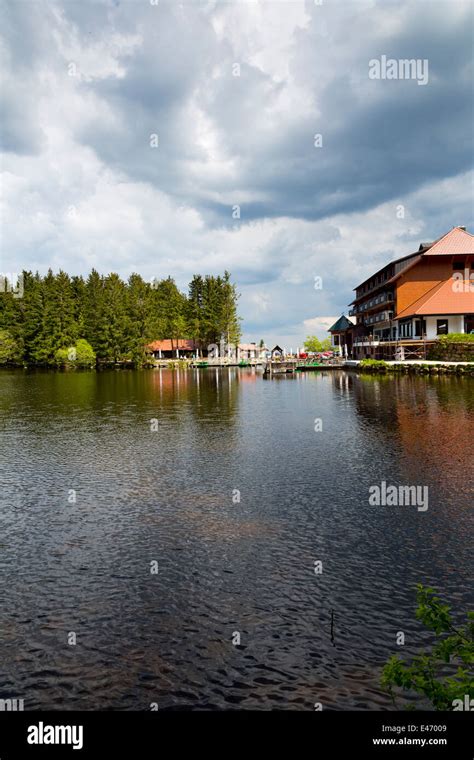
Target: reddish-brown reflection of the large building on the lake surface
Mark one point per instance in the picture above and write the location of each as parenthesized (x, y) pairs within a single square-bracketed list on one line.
[(400, 411)]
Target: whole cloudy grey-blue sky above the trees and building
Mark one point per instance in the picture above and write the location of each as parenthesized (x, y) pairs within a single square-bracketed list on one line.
[(174, 138)]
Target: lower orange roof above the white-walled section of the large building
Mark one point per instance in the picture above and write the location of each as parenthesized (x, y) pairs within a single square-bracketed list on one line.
[(443, 298)]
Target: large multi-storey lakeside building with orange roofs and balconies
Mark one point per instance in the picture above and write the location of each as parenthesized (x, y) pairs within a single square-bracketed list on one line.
[(416, 298)]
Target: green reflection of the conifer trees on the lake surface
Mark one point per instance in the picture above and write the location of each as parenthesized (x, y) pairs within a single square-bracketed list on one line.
[(124, 397)]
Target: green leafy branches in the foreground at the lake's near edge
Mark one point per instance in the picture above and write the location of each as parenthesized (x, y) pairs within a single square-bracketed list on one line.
[(445, 673)]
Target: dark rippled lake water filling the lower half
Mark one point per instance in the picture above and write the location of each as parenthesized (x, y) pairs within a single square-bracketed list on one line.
[(170, 495)]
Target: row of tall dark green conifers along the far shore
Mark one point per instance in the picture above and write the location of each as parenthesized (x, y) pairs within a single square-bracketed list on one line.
[(106, 319)]
